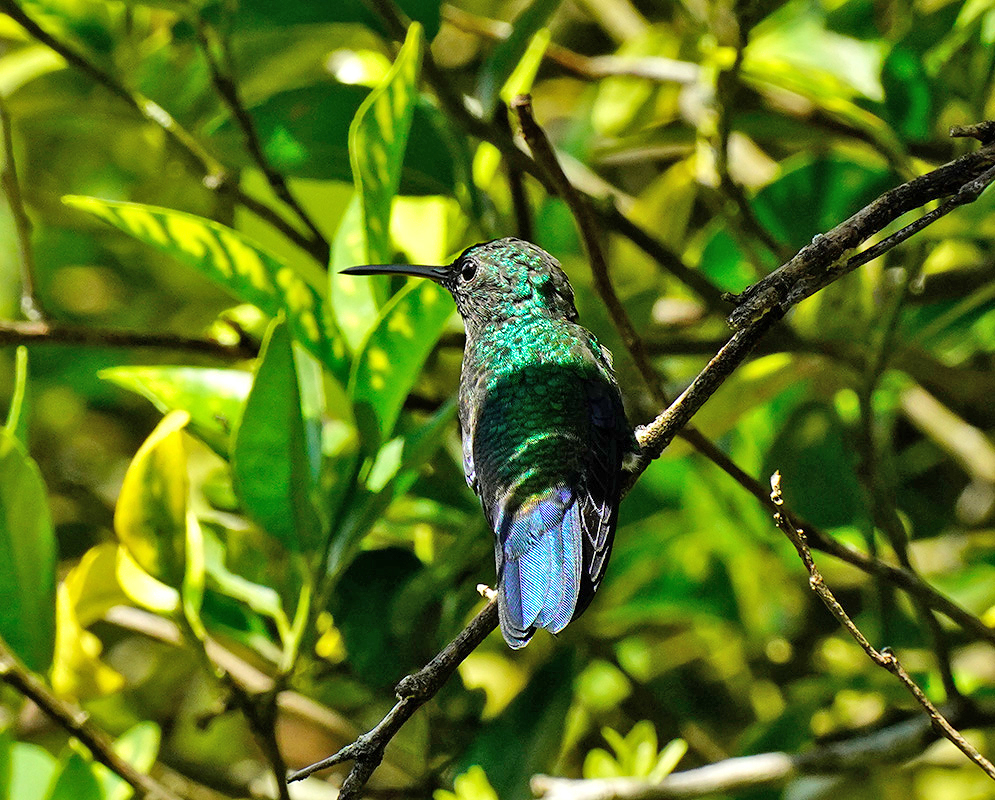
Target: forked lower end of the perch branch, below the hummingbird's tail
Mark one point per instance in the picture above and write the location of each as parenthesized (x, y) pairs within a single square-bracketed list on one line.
[(414, 691)]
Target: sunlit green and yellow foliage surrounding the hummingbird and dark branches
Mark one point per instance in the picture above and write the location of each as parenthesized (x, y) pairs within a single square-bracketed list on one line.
[(301, 521)]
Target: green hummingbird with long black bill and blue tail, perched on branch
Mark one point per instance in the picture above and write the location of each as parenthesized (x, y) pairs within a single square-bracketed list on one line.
[(543, 428)]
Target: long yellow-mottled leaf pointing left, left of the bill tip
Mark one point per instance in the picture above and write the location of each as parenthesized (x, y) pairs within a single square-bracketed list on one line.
[(231, 260)]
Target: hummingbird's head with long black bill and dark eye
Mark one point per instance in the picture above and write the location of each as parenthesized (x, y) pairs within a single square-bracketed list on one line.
[(499, 280)]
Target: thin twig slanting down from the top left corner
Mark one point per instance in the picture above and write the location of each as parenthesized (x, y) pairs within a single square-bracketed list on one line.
[(215, 175)]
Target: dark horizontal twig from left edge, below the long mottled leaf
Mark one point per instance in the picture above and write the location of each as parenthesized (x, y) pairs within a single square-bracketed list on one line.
[(60, 334)]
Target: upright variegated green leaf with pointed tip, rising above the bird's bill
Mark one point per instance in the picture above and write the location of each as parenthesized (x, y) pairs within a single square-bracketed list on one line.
[(377, 140)]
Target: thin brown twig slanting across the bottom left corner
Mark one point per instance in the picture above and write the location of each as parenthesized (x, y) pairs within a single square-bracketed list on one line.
[(76, 722)]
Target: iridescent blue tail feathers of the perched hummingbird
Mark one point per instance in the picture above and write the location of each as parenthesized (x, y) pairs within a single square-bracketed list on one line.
[(539, 561)]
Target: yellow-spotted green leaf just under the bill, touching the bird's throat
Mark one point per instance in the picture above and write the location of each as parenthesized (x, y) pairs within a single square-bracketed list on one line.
[(393, 355)]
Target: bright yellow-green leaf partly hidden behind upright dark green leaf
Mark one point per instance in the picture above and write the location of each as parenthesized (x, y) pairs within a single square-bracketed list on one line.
[(214, 398)]
